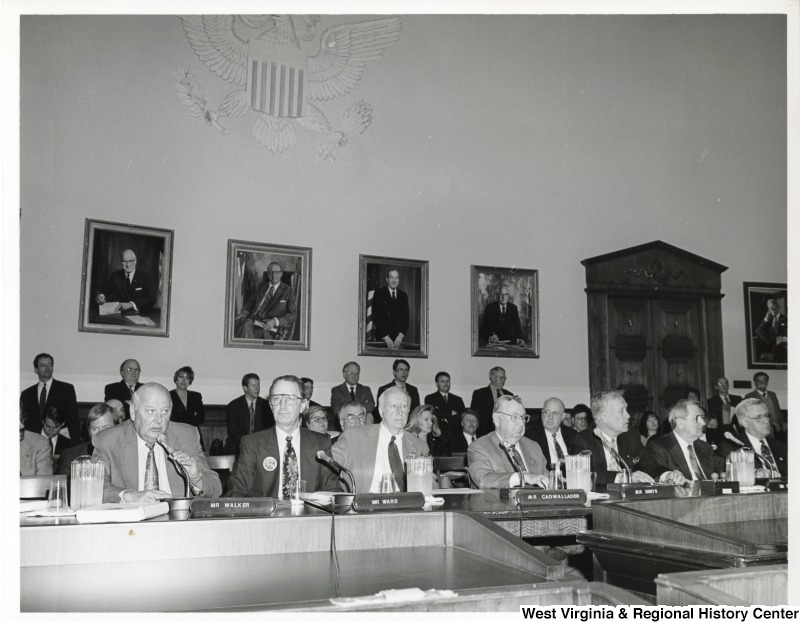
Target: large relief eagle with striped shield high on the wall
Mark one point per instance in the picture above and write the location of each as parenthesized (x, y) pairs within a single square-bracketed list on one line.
[(278, 81)]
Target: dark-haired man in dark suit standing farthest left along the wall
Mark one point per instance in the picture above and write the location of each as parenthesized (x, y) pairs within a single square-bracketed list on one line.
[(48, 393)]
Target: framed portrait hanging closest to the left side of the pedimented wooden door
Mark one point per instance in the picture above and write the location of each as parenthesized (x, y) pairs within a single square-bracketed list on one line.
[(505, 312)]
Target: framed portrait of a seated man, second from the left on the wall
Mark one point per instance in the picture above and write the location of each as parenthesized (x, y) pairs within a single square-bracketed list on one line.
[(268, 296)]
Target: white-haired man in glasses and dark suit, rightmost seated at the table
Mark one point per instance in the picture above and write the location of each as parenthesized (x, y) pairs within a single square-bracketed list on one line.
[(772, 456)]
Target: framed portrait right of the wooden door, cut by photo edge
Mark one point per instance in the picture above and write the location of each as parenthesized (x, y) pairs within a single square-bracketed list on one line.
[(766, 325)]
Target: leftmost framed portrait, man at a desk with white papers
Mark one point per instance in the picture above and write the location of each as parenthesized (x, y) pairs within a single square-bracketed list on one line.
[(126, 279)]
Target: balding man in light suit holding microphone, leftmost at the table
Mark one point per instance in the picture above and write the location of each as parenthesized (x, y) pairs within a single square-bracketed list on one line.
[(136, 466)]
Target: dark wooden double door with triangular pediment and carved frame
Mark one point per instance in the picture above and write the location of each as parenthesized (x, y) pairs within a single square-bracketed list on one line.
[(655, 324)]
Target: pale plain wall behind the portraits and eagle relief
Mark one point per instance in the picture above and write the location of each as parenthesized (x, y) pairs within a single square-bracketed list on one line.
[(533, 141)]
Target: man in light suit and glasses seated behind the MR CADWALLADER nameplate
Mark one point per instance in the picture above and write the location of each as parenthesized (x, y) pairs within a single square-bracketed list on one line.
[(490, 465)]
